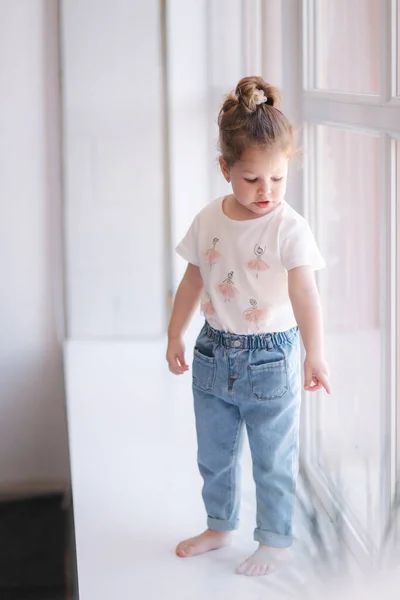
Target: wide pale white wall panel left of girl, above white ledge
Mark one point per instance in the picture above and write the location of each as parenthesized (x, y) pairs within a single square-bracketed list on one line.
[(114, 168)]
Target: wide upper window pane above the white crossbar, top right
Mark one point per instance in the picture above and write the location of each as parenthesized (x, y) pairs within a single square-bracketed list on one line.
[(347, 45)]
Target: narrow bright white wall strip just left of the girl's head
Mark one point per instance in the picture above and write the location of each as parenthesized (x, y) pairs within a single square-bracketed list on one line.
[(190, 158)]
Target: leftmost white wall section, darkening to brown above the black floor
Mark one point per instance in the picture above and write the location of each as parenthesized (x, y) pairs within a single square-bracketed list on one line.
[(33, 444)]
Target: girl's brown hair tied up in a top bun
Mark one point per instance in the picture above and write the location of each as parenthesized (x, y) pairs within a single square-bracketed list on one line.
[(243, 123)]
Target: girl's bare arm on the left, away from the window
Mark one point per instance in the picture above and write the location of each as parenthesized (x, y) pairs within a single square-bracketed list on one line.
[(186, 301)]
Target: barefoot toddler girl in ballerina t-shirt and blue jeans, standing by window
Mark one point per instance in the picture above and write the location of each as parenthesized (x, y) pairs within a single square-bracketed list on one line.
[(251, 262)]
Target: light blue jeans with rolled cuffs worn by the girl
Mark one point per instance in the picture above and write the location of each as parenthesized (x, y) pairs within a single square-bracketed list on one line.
[(253, 380)]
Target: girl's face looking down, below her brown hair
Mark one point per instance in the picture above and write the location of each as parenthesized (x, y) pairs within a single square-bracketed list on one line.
[(258, 179)]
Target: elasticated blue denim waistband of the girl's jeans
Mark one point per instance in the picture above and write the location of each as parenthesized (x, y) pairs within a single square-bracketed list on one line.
[(267, 341)]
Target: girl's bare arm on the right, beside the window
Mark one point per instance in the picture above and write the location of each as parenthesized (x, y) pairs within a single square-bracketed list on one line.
[(306, 304)]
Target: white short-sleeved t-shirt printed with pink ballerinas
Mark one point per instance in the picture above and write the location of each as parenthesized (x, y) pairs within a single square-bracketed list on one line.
[(244, 266)]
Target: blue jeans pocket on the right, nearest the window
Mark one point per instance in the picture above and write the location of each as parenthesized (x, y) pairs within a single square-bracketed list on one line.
[(269, 381)]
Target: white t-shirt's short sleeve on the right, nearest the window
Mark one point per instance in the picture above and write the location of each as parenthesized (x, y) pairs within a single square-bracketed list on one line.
[(298, 247)]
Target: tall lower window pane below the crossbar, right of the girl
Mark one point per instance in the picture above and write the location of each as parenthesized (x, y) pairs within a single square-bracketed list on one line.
[(348, 215)]
